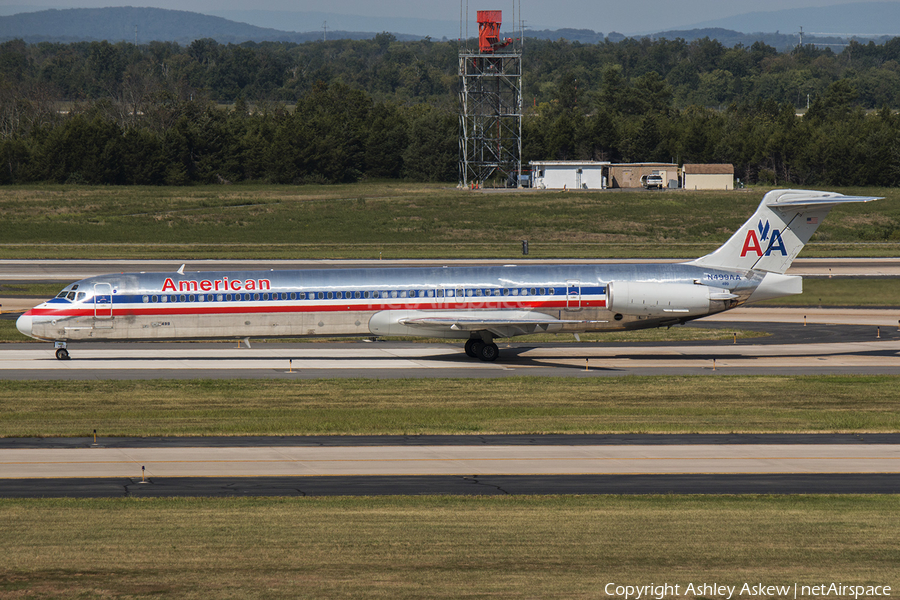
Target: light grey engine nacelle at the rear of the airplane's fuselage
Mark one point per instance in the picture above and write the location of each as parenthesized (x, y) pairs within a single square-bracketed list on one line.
[(653, 299)]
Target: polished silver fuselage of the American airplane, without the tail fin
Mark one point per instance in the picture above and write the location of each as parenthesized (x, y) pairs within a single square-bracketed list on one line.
[(374, 301)]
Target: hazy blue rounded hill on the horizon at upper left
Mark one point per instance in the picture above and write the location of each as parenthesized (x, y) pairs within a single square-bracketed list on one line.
[(153, 24)]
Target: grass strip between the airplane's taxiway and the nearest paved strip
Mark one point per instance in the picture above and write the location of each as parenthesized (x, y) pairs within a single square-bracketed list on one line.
[(517, 405)]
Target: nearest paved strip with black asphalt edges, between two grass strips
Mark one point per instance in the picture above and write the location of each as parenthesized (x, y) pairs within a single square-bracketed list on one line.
[(458, 465)]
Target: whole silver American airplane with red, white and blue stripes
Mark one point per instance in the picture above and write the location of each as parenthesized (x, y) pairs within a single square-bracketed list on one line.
[(476, 304)]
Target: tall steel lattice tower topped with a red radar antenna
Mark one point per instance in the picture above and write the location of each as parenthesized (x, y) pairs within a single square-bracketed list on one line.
[(490, 105)]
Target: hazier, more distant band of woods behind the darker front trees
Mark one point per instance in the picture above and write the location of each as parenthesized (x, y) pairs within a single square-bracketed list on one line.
[(702, 72)]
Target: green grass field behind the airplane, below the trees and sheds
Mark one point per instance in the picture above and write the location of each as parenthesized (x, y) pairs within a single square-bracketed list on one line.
[(397, 220)]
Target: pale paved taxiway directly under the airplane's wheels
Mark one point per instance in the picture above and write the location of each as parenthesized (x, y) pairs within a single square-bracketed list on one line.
[(791, 348)]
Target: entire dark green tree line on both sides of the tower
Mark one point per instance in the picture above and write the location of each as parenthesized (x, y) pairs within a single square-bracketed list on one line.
[(345, 110)]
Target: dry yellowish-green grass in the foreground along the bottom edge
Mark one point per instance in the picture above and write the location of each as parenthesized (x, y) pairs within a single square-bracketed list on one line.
[(439, 547)]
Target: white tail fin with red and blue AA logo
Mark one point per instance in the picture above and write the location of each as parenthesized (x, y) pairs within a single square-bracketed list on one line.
[(777, 231)]
